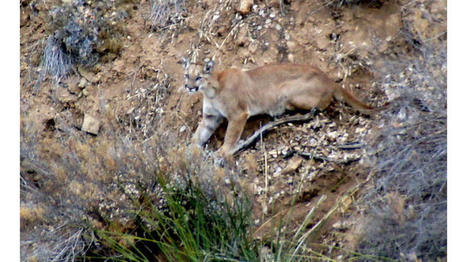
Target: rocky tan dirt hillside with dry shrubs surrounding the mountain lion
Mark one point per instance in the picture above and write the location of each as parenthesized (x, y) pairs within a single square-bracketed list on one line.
[(103, 109)]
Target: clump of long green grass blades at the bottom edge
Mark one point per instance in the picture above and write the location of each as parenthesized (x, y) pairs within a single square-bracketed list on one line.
[(189, 226)]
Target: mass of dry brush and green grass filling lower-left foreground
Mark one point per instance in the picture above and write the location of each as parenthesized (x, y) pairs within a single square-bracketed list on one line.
[(117, 198)]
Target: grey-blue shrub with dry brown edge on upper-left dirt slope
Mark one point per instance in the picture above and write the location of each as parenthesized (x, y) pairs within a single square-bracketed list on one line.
[(81, 32)]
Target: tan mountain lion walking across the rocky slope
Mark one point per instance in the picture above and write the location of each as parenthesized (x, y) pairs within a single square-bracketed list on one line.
[(236, 95)]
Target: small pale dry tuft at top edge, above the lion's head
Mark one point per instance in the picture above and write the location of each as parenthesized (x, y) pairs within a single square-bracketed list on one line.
[(166, 12)]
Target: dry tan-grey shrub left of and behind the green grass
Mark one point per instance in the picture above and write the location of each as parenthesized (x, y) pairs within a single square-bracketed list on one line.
[(73, 183)]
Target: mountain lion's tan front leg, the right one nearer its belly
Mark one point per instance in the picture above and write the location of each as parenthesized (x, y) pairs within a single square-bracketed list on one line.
[(234, 131)]
